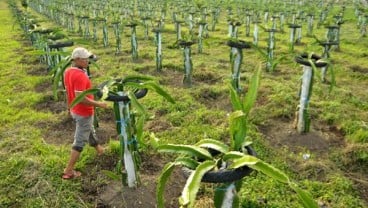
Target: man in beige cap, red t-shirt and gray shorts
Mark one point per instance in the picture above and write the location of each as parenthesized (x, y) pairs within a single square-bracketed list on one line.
[(76, 81)]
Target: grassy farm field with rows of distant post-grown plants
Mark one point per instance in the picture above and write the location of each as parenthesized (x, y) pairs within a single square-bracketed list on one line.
[(329, 160)]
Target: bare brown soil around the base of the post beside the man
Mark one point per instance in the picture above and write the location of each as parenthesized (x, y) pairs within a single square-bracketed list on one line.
[(115, 194)]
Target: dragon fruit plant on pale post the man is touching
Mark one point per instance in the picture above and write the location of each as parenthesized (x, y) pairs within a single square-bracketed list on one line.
[(129, 116)]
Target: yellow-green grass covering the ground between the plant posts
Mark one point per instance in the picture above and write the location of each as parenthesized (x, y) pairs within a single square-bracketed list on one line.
[(32, 166)]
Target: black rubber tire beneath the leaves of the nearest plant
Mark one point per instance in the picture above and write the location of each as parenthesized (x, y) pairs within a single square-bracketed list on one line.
[(226, 176)]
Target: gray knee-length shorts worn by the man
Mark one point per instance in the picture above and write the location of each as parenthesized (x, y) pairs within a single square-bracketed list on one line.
[(84, 132)]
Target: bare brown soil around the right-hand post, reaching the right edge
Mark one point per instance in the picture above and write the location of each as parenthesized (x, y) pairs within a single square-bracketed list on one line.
[(320, 142)]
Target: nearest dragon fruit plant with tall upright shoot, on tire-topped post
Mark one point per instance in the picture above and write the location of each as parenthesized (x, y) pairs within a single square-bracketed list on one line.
[(216, 162)]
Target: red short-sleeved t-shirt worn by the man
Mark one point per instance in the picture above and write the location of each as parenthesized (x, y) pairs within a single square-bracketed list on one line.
[(76, 79)]
